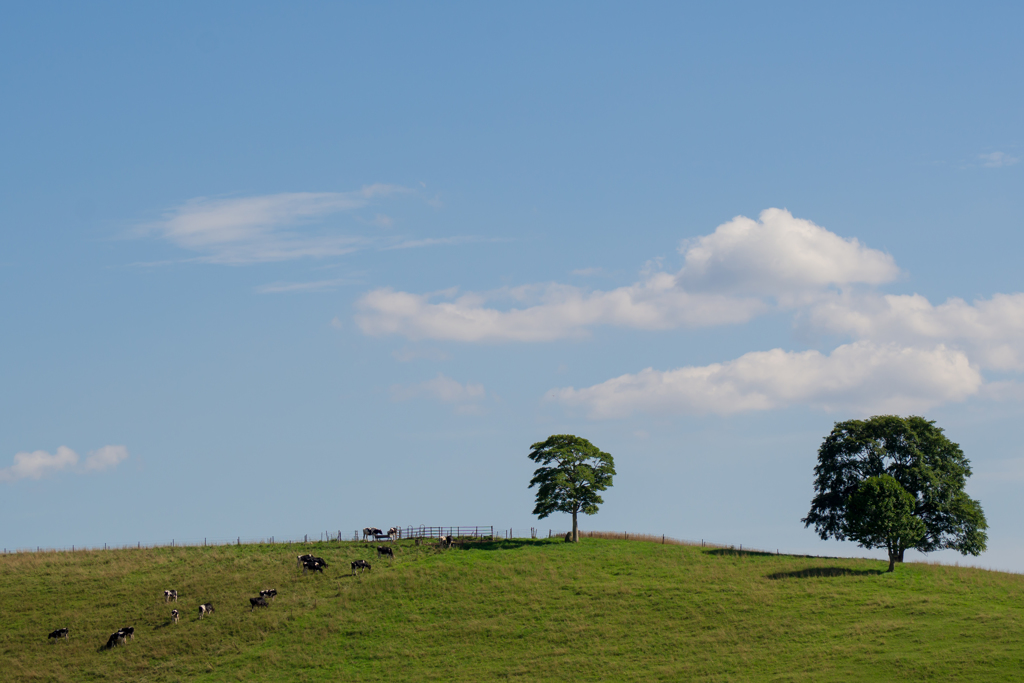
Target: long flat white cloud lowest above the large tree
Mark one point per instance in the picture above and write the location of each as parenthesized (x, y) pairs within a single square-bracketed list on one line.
[(862, 376)]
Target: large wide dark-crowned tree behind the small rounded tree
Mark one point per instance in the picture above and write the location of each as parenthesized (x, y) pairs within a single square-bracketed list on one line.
[(915, 453)]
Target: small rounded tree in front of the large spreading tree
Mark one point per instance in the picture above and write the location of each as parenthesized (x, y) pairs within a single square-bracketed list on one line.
[(880, 515)]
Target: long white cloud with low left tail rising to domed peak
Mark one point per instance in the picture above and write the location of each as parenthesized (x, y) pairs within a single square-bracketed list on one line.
[(729, 278)]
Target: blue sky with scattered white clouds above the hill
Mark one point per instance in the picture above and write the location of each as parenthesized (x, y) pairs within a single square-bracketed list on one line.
[(269, 271)]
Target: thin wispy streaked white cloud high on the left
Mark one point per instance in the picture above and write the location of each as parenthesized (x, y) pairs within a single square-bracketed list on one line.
[(252, 230)]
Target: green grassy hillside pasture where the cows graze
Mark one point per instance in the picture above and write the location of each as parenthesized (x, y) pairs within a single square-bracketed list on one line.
[(532, 611)]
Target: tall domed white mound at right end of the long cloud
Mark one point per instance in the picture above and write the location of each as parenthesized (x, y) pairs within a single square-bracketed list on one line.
[(780, 255)]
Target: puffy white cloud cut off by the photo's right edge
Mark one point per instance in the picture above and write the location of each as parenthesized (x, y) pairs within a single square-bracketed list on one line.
[(992, 331)]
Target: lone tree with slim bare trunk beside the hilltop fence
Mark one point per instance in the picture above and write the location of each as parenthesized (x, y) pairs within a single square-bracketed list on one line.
[(573, 473)]
